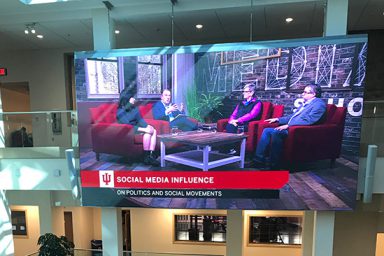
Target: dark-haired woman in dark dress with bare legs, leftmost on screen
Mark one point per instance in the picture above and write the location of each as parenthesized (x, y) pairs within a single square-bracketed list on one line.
[(128, 113)]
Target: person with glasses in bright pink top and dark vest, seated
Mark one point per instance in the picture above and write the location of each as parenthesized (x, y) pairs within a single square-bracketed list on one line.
[(249, 109)]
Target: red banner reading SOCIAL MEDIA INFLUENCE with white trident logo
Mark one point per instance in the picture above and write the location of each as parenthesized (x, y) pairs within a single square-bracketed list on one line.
[(186, 180)]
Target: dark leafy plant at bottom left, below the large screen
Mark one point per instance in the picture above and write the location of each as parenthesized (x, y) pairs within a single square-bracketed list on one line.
[(52, 245)]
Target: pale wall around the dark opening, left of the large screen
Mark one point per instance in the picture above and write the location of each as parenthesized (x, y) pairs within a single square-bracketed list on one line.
[(44, 72)]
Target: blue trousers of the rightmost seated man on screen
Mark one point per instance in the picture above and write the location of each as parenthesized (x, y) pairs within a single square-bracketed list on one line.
[(276, 139)]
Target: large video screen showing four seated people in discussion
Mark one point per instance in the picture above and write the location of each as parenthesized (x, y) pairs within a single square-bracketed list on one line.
[(261, 125)]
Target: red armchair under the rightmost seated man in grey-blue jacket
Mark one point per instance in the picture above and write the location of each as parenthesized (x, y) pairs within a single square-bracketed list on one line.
[(315, 142)]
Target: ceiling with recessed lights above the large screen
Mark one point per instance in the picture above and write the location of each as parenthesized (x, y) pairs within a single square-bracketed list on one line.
[(148, 22)]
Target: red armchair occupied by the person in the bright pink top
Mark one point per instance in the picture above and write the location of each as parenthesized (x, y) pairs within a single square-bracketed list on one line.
[(269, 111)]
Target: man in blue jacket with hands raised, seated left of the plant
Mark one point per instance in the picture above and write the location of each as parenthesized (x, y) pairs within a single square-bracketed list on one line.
[(165, 110)]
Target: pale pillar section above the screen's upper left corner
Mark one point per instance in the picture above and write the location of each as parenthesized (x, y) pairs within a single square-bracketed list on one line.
[(103, 30)]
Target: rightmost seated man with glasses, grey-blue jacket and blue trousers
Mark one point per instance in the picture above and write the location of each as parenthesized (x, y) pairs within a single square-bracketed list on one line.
[(311, 112)]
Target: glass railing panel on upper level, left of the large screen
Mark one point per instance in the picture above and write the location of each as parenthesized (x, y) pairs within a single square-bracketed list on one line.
[(38, 129)]
